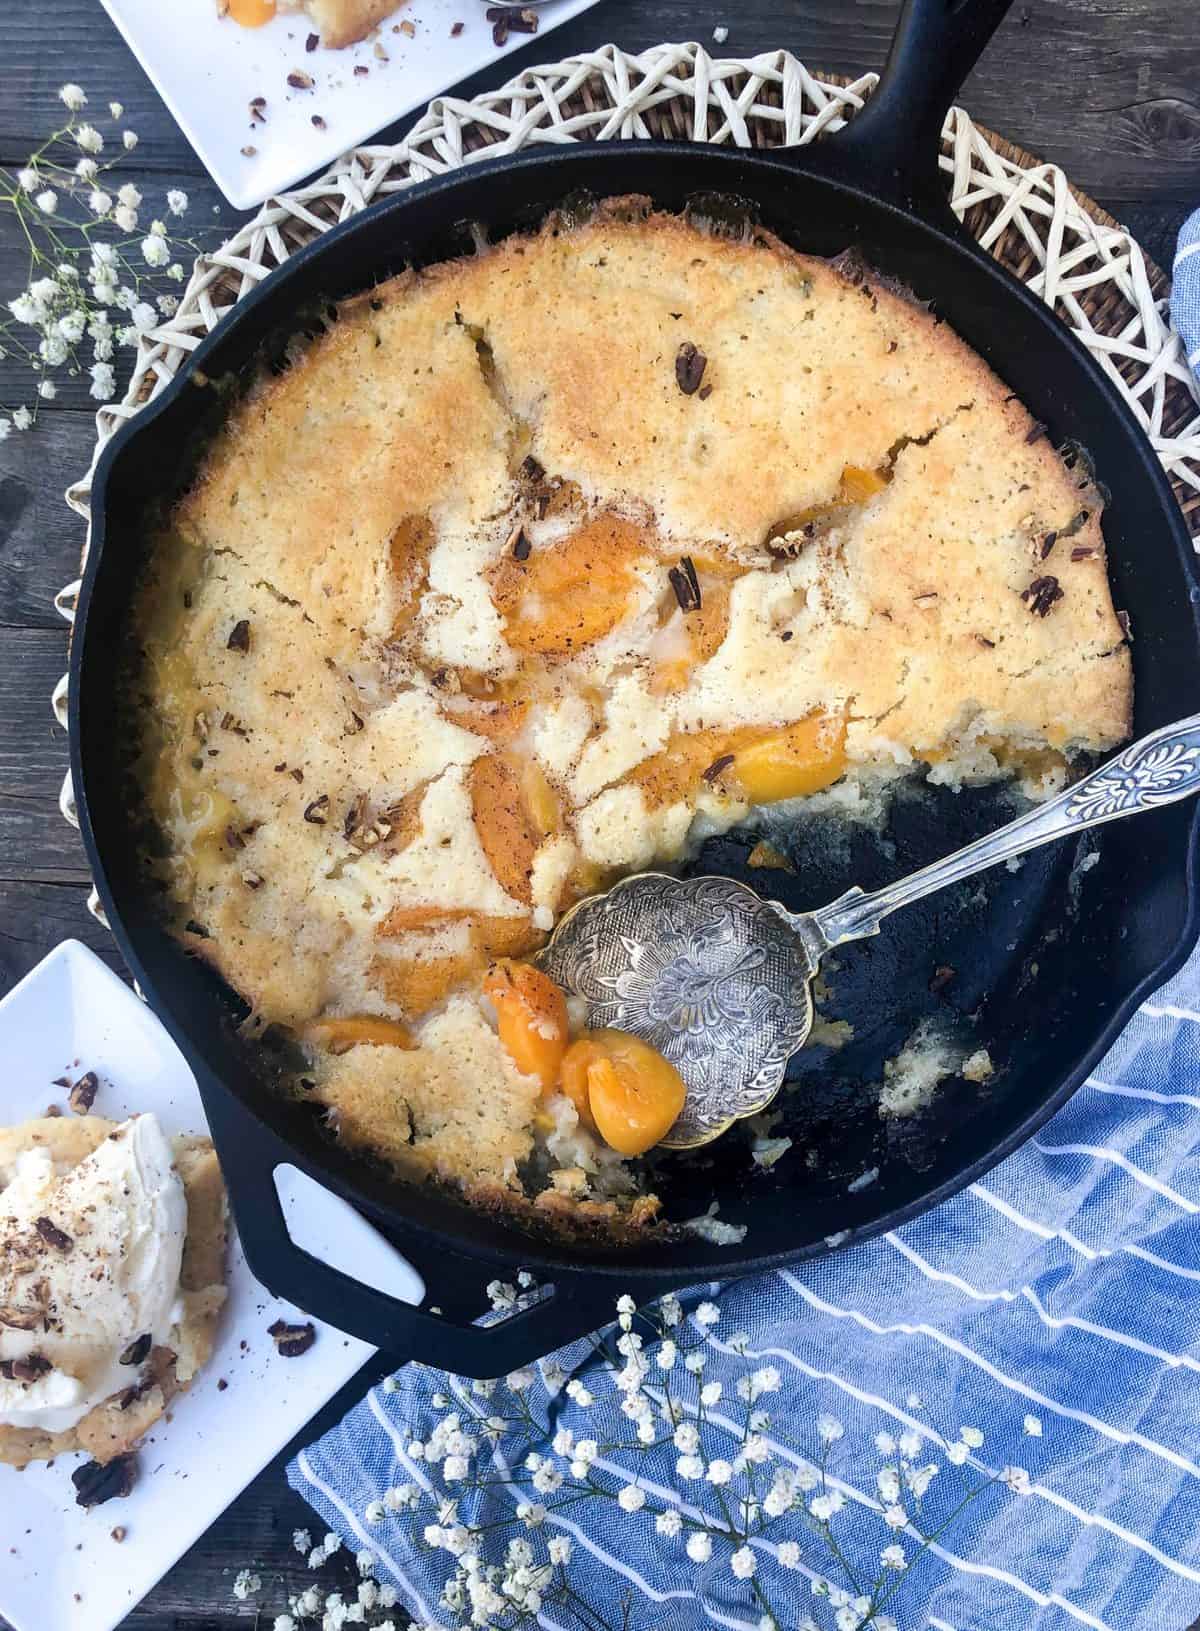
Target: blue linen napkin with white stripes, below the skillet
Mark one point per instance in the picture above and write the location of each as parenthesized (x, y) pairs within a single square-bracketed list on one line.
[(1054, 1307)]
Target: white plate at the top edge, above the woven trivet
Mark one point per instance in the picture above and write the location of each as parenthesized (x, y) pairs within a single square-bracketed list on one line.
[(208, 71)]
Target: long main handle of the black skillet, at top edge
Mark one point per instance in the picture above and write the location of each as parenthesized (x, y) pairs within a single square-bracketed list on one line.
[(893, 146)]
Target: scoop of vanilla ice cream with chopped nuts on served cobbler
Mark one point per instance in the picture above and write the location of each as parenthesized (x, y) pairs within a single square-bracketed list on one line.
[(89, 1263)]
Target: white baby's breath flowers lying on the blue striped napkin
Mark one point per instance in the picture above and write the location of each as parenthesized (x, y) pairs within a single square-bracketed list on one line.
[(736, 1482)]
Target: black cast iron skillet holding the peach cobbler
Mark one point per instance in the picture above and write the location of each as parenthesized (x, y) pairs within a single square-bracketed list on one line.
[(1049, 961)]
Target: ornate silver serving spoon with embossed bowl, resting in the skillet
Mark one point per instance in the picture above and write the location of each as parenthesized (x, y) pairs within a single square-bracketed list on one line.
[(720, 979)]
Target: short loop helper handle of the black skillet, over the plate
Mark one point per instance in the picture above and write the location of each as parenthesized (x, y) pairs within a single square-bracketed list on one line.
[(249, 1152)]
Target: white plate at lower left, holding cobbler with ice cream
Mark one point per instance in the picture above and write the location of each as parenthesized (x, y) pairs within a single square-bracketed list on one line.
[(60, 1567)]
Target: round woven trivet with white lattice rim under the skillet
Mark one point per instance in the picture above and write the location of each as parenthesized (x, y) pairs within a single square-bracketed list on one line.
[(1026, 213)]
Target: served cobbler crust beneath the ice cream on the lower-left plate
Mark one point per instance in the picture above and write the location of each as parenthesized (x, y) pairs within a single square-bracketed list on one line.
[(110, 1431)]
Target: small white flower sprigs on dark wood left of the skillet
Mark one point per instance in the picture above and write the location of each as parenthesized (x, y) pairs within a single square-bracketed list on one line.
[(89, 291)]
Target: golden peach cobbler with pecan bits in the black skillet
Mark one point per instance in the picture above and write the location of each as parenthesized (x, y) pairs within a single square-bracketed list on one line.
[(539, 568)]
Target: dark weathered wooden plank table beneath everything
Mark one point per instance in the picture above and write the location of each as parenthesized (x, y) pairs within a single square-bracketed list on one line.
[(1111, 94)]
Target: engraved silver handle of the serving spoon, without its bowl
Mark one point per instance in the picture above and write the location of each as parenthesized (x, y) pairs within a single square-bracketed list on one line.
[(1162, 769)]
